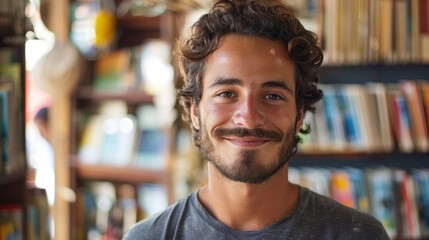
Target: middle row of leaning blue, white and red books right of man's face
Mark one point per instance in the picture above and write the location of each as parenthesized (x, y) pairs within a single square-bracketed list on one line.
[(371, 117)]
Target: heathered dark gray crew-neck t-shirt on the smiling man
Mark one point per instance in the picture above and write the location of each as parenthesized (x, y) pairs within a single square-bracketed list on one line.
[(315, 217)]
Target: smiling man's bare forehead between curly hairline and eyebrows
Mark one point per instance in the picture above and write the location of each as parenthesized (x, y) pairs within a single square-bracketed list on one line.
[(250, 59)]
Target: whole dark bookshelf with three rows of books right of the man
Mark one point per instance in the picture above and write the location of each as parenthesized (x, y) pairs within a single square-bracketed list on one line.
[(367, 42)]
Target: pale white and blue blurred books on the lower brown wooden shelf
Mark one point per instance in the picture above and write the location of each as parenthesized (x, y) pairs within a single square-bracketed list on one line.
[(122, 139)]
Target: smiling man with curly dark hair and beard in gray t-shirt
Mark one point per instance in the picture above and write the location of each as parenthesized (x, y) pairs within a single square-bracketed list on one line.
[(250, 71)]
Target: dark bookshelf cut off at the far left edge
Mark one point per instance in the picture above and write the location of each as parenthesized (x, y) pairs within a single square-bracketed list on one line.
[(13, 167)]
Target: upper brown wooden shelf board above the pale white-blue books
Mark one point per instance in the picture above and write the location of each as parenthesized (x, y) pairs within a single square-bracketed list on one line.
[(132, 97)]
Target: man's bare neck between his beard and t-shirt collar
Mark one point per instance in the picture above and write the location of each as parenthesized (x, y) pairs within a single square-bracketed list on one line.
[(249, 207)]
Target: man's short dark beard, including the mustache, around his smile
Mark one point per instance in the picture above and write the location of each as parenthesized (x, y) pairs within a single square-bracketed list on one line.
[(245, 168)]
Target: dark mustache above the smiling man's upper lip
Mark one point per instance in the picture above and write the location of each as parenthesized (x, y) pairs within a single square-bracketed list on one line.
[(245, 132)]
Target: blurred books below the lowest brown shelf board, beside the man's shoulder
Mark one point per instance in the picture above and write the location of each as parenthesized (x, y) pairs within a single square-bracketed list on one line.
[(107, 210)]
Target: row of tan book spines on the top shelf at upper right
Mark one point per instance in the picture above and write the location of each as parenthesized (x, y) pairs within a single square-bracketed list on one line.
[(373, 31)]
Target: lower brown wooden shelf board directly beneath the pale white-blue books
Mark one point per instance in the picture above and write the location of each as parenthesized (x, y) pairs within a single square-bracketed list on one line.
[(130, 174)]
